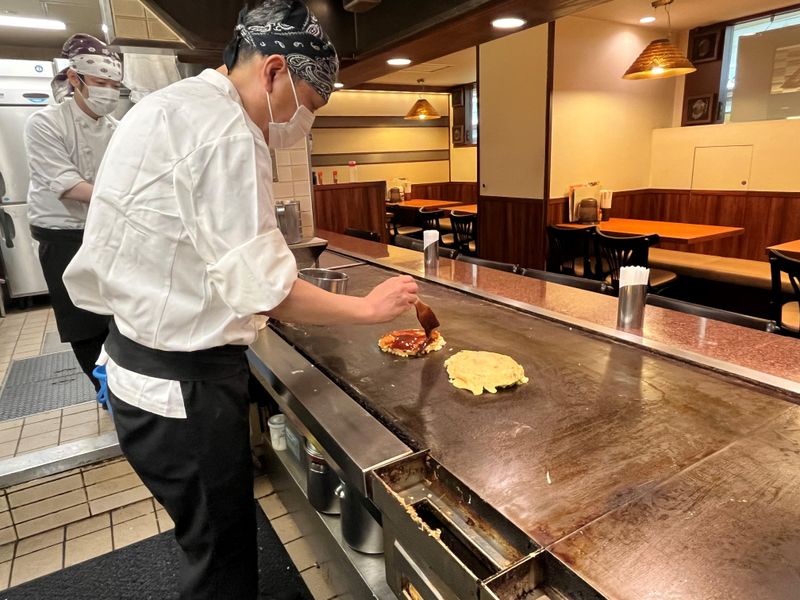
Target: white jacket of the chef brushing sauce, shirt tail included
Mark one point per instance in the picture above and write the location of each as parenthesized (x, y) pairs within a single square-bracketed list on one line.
[(181, 243)]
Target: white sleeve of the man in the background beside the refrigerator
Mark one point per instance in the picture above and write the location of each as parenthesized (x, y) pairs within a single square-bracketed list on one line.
[(48, 158)]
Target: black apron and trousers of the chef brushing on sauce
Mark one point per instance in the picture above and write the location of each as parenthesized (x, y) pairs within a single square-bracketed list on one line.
[(199, 468)]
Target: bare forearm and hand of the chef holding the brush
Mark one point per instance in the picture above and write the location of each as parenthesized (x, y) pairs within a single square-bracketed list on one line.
[(311, 305)]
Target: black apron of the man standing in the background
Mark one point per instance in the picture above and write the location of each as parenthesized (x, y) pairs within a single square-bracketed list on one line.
[(84, 330)]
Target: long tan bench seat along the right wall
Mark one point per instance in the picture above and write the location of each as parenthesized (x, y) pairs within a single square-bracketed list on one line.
[(735, 271)]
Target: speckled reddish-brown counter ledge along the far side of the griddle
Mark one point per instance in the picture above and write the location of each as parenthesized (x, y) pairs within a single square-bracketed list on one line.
[(765, 358)]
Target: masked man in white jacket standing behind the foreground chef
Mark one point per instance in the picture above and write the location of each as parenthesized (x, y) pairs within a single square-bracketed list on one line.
[(65, 143)]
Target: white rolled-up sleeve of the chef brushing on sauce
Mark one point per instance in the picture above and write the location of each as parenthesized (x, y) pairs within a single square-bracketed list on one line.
[(228, 213)]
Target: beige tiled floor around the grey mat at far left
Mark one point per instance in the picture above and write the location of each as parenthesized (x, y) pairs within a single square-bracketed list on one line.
[(23, 335)]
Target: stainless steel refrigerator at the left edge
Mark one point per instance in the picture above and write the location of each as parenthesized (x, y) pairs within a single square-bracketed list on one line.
[(24, 88)]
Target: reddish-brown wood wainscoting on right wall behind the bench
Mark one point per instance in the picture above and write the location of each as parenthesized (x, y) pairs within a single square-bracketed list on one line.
[(768, 218)]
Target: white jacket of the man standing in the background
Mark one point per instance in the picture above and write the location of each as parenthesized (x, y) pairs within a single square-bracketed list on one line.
[(64, 147)]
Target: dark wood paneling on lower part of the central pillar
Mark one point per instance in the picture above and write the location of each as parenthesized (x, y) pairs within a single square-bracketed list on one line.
[(511, 230)]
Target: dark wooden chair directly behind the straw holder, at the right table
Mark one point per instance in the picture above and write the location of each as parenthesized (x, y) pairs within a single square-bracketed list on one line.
[(614, 252)]
